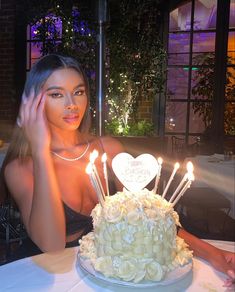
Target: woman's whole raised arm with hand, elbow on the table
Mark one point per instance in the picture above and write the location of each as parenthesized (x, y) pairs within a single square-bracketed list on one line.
[(35, 189)]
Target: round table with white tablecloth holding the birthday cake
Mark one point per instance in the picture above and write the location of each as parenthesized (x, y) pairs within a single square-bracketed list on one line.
[(60, 272)]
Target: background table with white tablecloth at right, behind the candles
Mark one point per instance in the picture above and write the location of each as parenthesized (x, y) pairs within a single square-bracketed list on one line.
[(214, 172)]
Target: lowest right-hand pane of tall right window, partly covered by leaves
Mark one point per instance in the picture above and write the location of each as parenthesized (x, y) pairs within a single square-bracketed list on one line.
[(200, 116)]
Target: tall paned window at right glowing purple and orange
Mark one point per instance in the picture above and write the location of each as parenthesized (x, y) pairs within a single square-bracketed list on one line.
[(191, 48)]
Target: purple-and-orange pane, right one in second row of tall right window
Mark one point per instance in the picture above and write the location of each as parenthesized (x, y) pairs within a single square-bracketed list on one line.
[(204, 42)]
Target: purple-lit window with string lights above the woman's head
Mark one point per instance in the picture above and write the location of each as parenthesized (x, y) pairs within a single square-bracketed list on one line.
[(60, 32)]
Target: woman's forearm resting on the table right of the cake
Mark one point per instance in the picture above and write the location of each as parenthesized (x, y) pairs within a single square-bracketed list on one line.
[(221, 260)]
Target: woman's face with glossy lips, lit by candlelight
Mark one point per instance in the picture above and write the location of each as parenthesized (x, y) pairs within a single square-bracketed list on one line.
[(66, 98)]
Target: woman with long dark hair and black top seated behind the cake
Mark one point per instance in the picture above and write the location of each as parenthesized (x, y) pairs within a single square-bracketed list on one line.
[(45, 166)]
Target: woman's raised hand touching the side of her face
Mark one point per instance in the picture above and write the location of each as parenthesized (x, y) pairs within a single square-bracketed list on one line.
[(33, 121)]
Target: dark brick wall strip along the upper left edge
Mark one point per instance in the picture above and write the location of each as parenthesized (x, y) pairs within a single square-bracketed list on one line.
[(7, 68)]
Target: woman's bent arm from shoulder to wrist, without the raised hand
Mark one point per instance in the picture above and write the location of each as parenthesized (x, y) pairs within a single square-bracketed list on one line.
[(38, 198)]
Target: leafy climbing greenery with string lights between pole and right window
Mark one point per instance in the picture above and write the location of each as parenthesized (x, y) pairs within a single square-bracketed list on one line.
[(136, 59)]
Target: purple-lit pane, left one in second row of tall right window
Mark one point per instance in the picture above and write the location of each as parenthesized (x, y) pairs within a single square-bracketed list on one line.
[(178, 42)]
